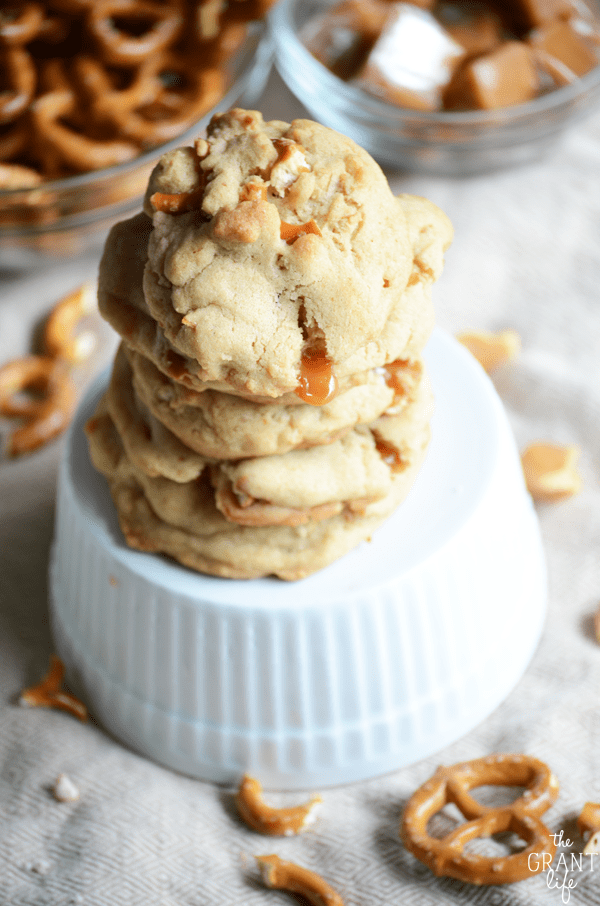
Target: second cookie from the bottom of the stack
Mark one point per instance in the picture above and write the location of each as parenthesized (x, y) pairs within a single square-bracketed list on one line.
[(286, 489)]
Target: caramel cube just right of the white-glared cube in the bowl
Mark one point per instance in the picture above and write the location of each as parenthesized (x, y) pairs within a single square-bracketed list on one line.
[(504, 77)]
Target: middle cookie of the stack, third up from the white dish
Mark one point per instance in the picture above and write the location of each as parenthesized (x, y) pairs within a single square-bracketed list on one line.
[(223, 426)]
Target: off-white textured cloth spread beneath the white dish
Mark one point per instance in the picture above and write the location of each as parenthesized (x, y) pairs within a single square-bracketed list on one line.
[(526, 256)]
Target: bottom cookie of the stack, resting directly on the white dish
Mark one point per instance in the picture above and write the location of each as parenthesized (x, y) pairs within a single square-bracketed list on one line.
[(199, 536)]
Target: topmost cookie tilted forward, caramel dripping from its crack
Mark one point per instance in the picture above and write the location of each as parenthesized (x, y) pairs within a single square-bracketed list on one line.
[(273, 243)]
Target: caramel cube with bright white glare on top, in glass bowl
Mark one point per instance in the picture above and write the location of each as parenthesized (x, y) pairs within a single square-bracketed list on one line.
[(412, 60)]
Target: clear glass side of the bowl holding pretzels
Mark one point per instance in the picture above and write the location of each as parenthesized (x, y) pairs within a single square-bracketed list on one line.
[(67, 217)]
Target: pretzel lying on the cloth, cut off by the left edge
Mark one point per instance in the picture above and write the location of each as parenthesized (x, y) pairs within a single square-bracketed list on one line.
[(45, 417)]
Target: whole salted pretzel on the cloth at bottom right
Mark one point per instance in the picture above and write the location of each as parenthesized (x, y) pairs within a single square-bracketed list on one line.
[(453, 784)]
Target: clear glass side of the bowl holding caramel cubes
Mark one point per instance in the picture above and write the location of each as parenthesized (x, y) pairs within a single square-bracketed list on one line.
[(441, 143)]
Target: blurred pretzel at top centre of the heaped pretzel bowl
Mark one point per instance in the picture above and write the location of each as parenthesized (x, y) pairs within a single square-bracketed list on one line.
[(119, 48)]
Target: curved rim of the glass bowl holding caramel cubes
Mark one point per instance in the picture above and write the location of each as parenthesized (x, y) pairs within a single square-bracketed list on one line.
[(286, 40)]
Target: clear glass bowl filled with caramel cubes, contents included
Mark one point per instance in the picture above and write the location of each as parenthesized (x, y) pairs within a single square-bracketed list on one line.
[(448, 87)]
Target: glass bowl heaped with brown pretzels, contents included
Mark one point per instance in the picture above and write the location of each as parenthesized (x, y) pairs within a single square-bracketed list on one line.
[(95, 92)]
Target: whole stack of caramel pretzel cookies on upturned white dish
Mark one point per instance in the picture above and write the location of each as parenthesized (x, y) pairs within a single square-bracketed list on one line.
[(268, 406)]
